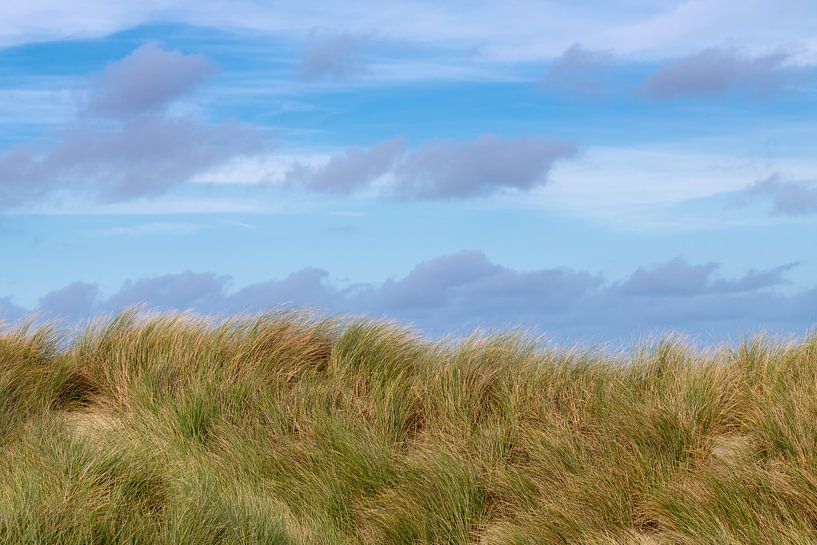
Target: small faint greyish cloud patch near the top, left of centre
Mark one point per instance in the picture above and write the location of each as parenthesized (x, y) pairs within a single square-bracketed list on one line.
[(333, 56)]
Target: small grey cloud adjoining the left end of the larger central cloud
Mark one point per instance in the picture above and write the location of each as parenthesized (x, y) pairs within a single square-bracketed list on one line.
[(350, 171)]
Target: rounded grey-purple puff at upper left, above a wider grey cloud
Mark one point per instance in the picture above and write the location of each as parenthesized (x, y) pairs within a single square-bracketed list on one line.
[(146, 80)]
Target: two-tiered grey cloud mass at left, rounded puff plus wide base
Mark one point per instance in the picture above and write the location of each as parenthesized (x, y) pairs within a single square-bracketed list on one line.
[(124, 145)]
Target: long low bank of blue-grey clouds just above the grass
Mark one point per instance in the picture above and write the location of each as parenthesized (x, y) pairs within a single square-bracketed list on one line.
[(465, 290)]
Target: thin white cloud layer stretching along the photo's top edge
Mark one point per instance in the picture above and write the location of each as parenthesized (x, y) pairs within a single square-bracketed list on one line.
[(529, 29)]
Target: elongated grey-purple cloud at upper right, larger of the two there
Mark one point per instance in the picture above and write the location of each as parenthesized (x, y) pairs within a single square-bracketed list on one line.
[(718, 71)]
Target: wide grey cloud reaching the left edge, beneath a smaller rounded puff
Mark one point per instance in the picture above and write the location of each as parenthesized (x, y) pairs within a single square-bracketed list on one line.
[(142, 156)]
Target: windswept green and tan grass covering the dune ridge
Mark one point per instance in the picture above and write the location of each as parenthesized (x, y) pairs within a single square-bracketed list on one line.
[(284, 430)]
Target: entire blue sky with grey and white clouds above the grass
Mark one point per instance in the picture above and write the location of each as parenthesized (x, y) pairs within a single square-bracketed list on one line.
[(592, 172)]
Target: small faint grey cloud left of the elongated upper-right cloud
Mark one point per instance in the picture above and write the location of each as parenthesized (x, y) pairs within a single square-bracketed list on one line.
[(578, 70)]
